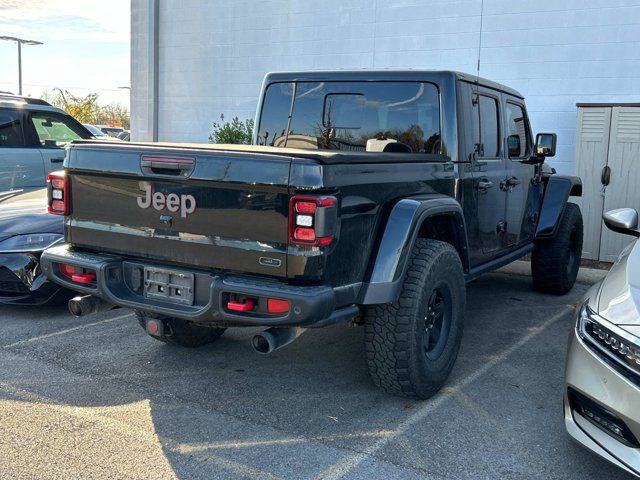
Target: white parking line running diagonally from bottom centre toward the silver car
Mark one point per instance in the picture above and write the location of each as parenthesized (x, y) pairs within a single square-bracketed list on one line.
[(348, 463)]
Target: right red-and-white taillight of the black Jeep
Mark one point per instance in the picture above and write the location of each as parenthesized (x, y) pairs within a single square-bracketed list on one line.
[(312, 220)]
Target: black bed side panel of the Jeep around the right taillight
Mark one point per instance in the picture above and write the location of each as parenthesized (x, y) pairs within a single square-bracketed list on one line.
[(366, 194)]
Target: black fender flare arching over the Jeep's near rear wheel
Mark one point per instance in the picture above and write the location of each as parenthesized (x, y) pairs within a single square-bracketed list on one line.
[(400, 233)]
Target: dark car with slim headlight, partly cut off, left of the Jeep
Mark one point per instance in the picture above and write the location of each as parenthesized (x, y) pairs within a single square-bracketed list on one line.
[(26, 229)]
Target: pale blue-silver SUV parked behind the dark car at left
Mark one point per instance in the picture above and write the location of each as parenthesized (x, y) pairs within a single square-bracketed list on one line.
[(33, 134)]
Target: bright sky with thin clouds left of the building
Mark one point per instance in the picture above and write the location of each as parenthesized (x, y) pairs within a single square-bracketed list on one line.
[(86, 47)]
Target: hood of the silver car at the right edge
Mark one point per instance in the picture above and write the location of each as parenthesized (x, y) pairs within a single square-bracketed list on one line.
[(619, 297)]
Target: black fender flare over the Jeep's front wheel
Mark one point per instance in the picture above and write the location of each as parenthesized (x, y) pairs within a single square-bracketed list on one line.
[(557, 191)]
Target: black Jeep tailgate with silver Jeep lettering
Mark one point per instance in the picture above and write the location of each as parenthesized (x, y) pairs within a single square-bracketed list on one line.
[(210, 209)]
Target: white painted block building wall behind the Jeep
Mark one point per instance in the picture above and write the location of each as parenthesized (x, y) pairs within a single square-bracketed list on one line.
[(213, 54)]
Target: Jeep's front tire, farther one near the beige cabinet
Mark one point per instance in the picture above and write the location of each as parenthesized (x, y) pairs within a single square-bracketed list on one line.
[(555, 262)]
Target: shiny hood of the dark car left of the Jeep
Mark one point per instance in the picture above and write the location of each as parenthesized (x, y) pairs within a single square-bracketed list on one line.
[(25, 211)]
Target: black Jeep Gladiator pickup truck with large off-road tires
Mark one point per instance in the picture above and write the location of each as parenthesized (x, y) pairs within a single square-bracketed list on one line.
[(368, 196)]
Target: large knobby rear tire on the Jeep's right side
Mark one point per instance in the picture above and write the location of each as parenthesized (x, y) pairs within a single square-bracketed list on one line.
[(396, 334)]
